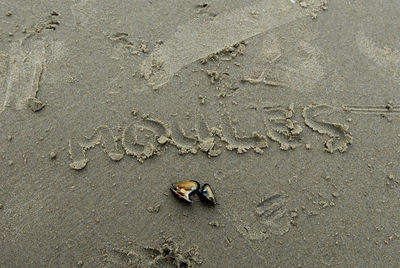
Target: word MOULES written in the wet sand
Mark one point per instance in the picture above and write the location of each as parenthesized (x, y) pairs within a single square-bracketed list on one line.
[(146, 137)]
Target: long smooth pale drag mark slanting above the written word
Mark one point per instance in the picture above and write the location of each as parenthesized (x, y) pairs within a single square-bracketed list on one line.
[(198, 38)]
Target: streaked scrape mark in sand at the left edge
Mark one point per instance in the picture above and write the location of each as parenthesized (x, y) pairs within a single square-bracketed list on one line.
[(24, 70)]
